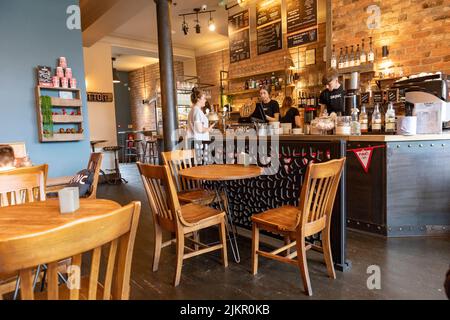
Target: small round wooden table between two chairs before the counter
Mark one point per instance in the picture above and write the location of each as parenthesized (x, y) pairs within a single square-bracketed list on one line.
[(221, 173)]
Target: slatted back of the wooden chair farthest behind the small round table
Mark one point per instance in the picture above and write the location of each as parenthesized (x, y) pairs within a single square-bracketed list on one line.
[(178, 160)]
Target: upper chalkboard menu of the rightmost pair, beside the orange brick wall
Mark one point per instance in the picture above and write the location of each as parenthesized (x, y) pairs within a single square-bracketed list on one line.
[(301, 14)]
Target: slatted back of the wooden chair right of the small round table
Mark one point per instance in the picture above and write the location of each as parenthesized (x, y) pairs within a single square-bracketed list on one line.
[(318, 195)]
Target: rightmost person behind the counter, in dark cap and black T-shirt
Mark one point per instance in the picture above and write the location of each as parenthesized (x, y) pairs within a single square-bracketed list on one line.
[(332, 98)]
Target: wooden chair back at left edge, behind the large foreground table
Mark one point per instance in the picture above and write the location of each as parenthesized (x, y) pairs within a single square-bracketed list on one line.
[(23, 185)]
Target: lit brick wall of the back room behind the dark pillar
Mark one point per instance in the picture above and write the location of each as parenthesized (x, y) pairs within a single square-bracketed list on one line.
[(143, 116)]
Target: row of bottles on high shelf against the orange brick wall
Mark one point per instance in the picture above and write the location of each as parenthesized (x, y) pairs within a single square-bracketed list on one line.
[(353, 58)]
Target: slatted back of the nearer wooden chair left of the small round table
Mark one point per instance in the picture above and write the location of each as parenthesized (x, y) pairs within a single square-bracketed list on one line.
[(162, 196)]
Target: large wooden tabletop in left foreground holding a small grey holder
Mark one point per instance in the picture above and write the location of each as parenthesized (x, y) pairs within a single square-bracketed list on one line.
[(35, 217)]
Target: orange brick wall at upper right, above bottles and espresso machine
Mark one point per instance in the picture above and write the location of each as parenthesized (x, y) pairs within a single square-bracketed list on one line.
[(417, 32)]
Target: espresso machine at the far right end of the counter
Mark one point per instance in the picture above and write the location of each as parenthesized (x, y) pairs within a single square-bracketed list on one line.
[(429, 93)]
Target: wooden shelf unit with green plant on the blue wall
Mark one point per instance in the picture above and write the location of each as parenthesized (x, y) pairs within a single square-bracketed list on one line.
[(63, 121)]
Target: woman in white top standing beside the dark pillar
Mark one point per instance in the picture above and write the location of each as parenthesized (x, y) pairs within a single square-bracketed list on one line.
[(198, 125)]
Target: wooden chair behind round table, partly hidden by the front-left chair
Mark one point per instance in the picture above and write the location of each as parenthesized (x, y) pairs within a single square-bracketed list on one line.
[(189, 191)]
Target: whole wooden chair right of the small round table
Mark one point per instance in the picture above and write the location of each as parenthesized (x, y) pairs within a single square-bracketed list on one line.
[(313, 215)]
